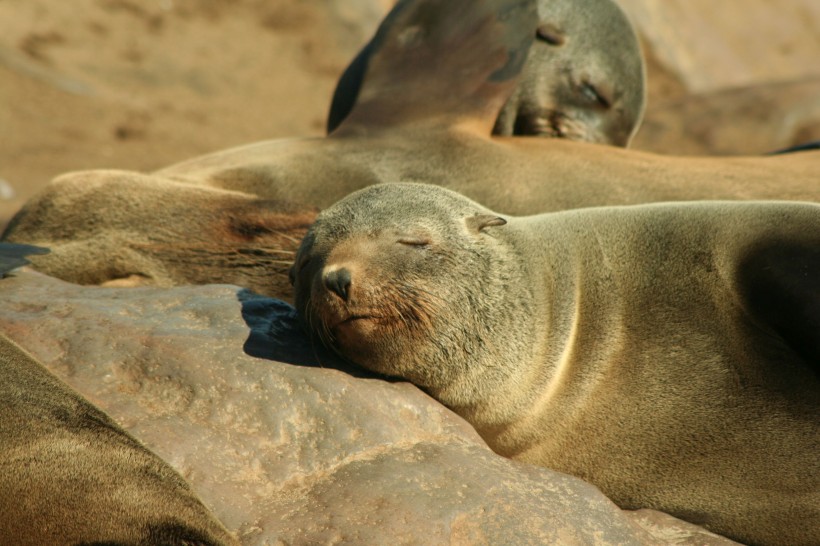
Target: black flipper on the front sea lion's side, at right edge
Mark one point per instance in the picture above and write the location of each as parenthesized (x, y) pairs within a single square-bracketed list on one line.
[(781, 284)]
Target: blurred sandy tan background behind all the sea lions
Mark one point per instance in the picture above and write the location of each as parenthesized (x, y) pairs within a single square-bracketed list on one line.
[(140, 84)]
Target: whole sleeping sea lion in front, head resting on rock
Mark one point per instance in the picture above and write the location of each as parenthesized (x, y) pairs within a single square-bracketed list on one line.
[(666, 353)]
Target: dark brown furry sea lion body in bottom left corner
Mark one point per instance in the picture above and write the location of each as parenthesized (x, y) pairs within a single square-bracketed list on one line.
[(70, 475)]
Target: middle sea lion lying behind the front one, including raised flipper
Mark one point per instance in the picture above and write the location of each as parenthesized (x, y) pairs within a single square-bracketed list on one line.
[(412, 121)]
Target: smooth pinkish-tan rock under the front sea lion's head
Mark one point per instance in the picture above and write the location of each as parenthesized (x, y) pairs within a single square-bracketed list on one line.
[(288, 445)]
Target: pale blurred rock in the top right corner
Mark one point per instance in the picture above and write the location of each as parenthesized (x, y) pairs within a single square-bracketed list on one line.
[(714, 45)]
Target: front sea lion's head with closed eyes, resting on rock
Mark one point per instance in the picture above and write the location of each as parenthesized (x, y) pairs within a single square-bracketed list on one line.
[(407, 280)]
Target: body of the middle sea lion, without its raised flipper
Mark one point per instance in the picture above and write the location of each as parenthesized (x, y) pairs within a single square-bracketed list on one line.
[(175, 227)]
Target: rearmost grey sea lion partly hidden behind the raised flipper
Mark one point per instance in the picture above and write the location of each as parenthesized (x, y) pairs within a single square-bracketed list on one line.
[(584, 78)]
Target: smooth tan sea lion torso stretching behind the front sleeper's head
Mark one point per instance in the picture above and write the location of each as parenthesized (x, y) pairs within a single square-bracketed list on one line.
[(514, 175)]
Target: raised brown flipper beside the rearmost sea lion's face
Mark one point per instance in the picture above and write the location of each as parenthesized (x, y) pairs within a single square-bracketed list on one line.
[(455, 60)]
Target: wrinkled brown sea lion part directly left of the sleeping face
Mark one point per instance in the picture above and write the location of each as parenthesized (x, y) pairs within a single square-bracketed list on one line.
[(158, 239)]
